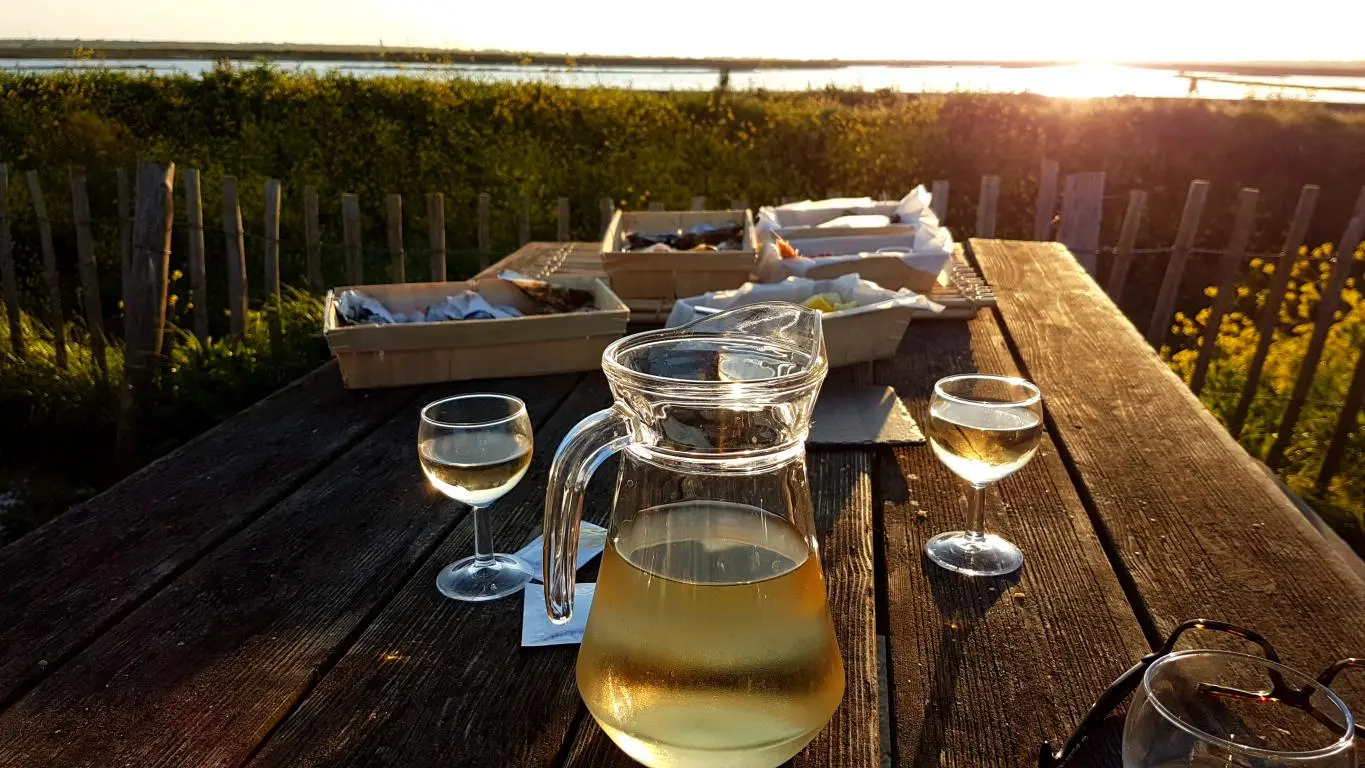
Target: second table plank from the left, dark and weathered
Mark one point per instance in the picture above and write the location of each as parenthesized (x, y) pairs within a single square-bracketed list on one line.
[(205, 669)]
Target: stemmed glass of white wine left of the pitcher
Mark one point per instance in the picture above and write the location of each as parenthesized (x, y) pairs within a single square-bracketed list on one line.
[(476, 448)]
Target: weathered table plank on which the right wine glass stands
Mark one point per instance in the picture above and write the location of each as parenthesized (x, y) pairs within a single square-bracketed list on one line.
[(983, 670)]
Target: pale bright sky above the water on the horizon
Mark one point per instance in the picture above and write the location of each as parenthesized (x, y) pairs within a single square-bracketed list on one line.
[(1082, 31)]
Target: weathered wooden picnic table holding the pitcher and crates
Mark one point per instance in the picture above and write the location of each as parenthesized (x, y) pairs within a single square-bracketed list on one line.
[(264, 595)]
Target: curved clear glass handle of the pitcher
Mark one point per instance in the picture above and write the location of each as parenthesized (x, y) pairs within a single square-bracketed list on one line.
[(588, 445)]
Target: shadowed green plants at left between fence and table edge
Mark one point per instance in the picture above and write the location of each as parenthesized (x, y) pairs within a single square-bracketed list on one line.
[(58, 428)]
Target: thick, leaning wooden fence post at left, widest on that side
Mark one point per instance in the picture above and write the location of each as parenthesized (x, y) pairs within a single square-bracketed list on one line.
[(143, 301)]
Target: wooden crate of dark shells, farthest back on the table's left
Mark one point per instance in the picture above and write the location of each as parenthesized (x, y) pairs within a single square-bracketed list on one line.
[(665, 278)]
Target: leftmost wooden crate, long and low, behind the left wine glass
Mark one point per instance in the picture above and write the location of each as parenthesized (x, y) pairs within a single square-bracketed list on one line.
[(417, 354)]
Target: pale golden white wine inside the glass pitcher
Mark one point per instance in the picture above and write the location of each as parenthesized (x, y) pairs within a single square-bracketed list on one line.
[(710, 642)]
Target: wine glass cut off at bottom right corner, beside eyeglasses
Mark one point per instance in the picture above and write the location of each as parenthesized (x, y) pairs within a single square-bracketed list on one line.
[(1205, 709)]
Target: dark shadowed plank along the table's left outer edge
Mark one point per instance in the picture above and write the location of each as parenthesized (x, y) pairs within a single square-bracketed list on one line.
[(81, 574)]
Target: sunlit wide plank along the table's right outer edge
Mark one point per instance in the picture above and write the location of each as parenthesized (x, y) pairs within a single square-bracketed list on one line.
[(1198, 525)]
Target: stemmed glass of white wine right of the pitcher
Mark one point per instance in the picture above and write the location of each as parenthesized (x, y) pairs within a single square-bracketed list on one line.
[(983, 429)]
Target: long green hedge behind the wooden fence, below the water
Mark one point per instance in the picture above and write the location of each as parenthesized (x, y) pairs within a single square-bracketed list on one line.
[(413, 136)]
